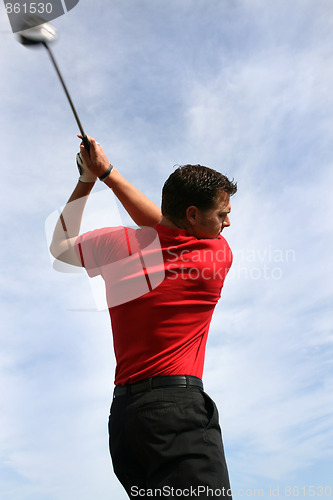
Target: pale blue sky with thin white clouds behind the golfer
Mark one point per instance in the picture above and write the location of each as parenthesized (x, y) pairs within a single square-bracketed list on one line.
[(244, 87)]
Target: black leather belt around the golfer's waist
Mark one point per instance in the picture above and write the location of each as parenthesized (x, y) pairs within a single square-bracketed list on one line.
[(158, 382)]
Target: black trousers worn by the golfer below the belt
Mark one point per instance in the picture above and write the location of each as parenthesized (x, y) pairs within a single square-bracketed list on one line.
[(167, 443)]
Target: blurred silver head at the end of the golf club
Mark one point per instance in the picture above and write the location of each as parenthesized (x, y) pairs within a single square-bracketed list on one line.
[(32, 34)]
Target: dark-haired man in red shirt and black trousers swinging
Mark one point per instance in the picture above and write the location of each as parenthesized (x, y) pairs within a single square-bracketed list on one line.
[(165, 438)]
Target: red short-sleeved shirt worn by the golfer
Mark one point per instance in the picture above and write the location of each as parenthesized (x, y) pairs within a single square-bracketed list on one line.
[(162, 285)]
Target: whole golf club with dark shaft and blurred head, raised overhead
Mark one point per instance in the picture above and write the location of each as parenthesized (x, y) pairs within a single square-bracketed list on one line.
[(43, 34)]
